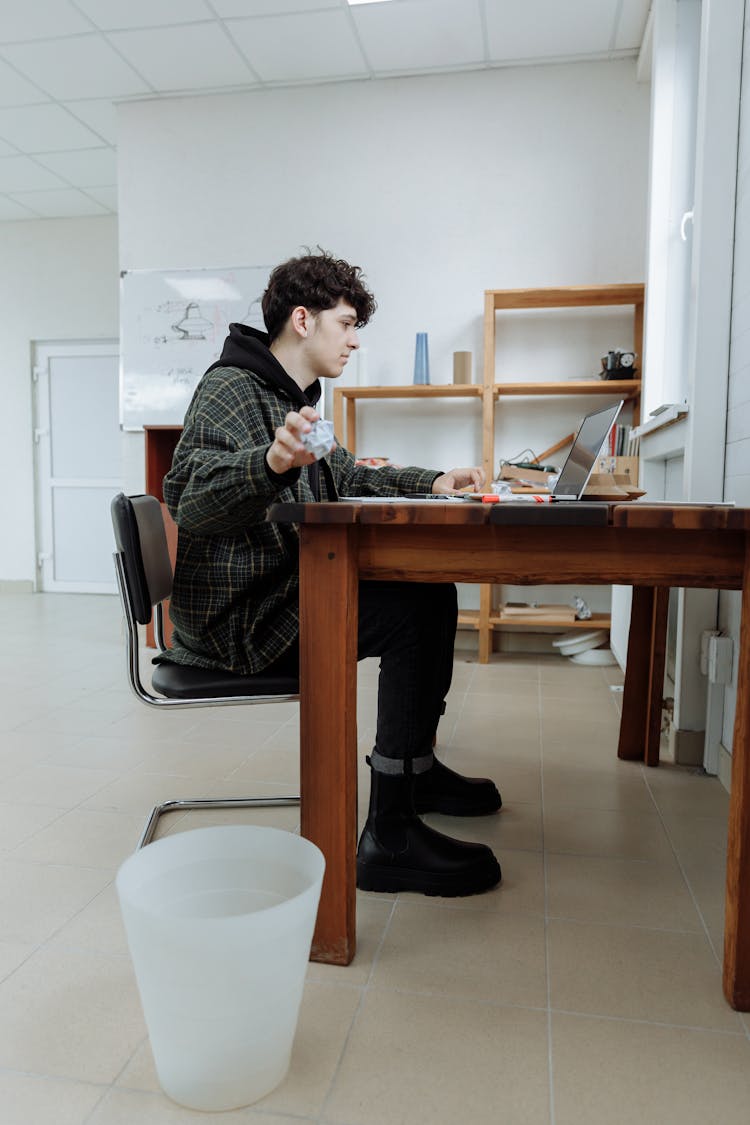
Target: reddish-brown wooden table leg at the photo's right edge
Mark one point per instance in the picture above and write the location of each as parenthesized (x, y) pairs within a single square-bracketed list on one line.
[(737, 920)]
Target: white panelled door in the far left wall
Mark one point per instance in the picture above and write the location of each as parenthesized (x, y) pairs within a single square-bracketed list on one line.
[(78, 465)]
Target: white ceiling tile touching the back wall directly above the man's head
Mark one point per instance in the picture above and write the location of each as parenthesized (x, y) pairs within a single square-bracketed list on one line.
[(291, 49)]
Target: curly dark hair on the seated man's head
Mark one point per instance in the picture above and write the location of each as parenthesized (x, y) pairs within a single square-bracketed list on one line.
[(317, 282)]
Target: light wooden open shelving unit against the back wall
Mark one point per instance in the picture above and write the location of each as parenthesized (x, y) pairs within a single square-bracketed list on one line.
[(492, 397)]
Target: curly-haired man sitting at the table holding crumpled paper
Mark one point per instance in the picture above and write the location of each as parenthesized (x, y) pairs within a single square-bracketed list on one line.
[(236, 599)]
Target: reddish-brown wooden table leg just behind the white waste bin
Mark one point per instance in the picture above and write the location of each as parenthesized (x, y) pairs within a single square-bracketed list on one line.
[(329, 616)]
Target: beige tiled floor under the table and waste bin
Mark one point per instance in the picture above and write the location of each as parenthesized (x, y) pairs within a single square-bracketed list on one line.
[(586, 991)]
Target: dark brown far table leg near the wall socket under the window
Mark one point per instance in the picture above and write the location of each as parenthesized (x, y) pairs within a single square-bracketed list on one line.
[(645, 677)]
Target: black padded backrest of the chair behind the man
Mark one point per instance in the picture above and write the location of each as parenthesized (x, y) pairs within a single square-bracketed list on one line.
[(141, 541)]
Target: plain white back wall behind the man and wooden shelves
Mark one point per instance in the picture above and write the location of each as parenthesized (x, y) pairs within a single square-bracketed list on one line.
[(440, 187)]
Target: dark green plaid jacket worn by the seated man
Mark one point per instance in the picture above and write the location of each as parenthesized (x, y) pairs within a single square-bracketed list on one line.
[(236, 598)]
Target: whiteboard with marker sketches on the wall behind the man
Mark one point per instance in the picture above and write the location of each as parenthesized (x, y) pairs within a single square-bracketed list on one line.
[(174, 325)]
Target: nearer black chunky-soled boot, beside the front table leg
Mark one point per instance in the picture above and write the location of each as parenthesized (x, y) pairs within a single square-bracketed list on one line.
[(397, 852)]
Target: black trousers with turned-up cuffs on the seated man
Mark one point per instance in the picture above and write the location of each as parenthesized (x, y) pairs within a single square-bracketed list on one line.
[(412, 628)]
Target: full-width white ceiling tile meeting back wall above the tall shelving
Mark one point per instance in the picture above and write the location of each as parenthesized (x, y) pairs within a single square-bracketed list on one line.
[(540, 30)]
